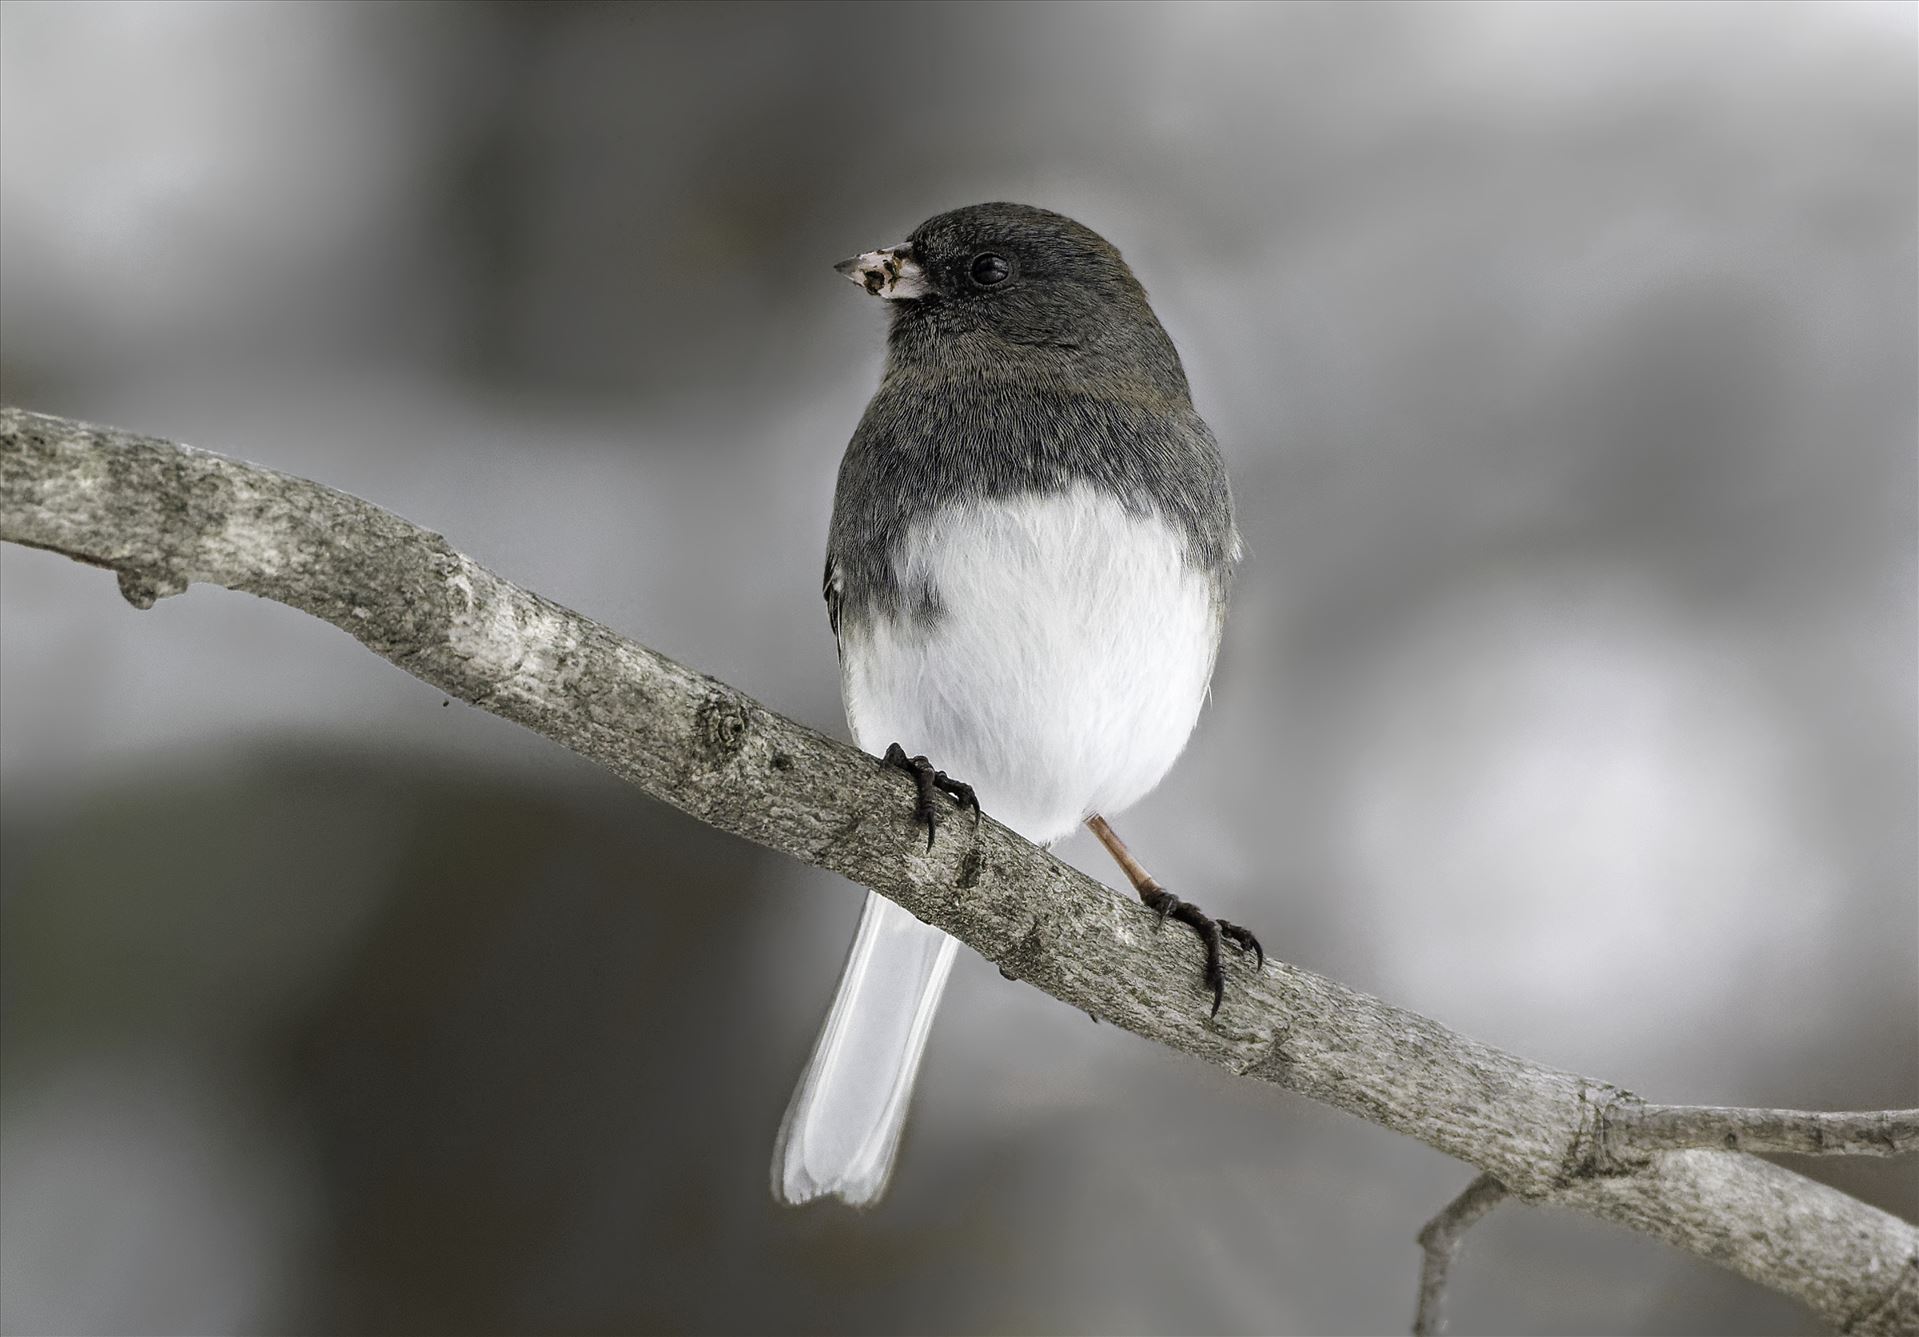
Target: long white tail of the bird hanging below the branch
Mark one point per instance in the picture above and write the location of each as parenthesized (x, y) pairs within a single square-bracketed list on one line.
[(845, 1119)]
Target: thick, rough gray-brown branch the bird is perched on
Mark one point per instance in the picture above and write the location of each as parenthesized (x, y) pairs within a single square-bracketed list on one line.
[(164, 517)]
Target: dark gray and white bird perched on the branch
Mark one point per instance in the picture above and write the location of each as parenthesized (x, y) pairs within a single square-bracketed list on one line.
[(1028, 575)]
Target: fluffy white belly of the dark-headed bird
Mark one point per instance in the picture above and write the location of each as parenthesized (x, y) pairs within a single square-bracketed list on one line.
[(1066, 665)]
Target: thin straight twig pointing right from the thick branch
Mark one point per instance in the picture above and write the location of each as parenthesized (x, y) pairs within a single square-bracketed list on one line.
[(1807, 1133)]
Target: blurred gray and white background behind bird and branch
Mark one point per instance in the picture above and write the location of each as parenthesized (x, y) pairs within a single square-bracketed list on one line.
[(1565, 358)]
